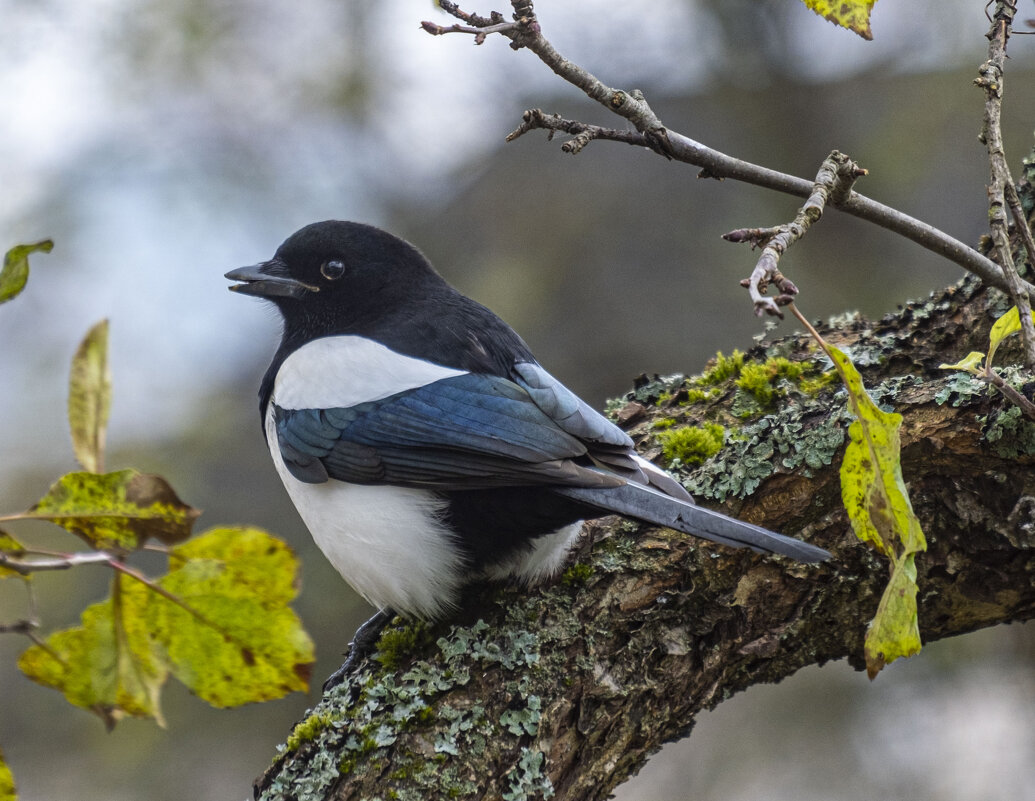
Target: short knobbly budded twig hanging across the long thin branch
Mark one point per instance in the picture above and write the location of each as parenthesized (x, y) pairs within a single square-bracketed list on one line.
[(834, 181)]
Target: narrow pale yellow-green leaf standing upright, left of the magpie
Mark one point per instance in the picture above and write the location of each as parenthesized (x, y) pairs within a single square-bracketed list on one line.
[(91, 399)]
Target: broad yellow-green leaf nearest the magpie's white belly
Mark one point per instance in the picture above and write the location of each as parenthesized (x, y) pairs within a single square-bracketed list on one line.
[(251, 645)]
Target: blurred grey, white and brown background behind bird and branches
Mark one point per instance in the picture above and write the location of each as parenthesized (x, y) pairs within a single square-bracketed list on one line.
[(161, 143)]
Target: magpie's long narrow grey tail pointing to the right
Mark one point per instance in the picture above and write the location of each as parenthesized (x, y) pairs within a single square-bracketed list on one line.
[(649, 506)]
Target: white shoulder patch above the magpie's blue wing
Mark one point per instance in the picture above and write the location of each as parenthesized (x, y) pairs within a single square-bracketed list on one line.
[(339, 372)]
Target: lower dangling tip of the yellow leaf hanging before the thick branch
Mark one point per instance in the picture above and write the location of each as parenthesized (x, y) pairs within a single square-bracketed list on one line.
[(896, 631)]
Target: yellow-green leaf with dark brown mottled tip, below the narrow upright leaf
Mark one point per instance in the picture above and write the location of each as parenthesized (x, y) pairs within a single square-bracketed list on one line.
[(116, 511)]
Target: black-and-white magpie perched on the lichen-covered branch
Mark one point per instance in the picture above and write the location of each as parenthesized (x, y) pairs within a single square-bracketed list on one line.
[(423, 444)]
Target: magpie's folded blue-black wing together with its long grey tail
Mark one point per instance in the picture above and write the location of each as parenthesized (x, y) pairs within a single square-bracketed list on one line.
[(474, 432)]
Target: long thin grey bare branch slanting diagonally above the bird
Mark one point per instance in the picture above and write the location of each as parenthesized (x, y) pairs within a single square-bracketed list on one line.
[(655, 135)]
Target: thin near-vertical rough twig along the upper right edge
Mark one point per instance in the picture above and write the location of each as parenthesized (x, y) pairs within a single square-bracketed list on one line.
[(991, 79)]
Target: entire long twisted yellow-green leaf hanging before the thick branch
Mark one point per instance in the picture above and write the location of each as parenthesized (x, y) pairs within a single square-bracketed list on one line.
[(878, 505)]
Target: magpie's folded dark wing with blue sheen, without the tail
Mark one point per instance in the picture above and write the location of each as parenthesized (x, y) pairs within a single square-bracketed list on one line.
[(462, 433)]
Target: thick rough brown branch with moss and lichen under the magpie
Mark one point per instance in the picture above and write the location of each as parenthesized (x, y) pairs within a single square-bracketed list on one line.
[(566, 692)]
